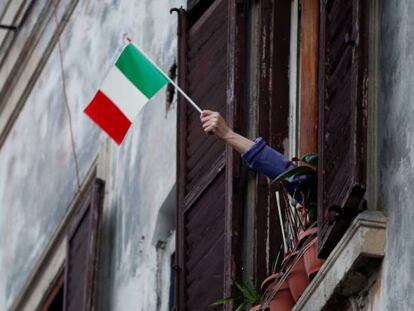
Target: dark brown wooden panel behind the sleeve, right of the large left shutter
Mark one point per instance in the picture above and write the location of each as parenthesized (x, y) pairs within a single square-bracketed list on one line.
[(272, 106)]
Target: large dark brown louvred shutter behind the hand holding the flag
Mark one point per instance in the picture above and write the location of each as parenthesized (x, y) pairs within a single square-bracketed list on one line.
[(206, 225)]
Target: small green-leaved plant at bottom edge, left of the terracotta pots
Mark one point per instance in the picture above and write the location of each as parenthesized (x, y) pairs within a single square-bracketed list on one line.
[(247, 298)]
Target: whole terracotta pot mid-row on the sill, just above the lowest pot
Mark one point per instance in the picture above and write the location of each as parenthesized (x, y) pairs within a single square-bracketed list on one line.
[(297, 278)]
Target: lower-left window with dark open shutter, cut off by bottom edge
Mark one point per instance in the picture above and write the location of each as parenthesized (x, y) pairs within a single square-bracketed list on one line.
[(75, 285)]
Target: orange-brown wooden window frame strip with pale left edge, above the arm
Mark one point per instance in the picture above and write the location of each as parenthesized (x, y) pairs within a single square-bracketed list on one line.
[(303, 79)]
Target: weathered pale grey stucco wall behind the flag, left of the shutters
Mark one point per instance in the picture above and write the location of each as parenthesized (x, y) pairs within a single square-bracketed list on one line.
[(37, 171)]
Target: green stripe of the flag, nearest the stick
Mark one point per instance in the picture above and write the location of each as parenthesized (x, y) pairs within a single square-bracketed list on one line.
[(139, 70)]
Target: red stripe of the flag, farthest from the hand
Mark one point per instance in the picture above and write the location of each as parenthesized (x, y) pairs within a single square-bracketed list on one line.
[(108, 117)]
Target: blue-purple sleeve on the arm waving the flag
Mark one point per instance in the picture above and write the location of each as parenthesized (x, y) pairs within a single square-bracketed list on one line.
[(269, 162)]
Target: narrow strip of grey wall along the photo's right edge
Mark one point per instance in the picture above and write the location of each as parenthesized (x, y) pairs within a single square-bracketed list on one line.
[(396, 150)]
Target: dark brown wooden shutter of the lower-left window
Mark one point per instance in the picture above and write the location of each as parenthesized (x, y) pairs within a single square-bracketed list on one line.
[(81, 261)]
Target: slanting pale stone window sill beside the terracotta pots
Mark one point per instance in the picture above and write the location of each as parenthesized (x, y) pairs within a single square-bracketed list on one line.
[(350, 264)]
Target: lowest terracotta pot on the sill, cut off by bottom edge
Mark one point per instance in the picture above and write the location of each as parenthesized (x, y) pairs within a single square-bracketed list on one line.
[(282, 299)]
